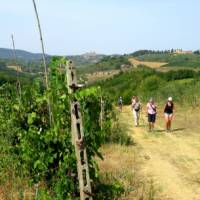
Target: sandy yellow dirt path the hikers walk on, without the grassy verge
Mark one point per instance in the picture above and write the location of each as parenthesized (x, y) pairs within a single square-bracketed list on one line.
[(172, 159)]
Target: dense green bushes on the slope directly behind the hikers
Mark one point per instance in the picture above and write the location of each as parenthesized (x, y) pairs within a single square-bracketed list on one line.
[(145, 83)]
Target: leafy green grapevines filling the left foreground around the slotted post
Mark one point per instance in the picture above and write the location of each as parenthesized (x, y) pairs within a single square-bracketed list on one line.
[(39, 155)]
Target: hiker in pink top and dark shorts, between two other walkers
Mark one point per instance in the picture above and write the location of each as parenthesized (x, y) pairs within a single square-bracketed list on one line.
[(151, 112)]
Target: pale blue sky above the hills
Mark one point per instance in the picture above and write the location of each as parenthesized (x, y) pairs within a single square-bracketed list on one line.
[(72, 27)]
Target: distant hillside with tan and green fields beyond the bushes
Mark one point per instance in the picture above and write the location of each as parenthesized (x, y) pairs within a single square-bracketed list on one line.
[(165, 62)]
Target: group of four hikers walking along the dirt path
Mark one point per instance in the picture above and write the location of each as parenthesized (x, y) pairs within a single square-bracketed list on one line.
[(151, 110)]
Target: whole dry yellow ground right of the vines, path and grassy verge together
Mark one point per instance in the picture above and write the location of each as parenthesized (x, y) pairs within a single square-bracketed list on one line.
[(160, 165)]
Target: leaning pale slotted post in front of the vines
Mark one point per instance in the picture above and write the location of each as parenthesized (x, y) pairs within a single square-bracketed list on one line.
[(78, 136)]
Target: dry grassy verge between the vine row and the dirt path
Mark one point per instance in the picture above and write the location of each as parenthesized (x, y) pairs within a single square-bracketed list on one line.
[(121, 166)]
